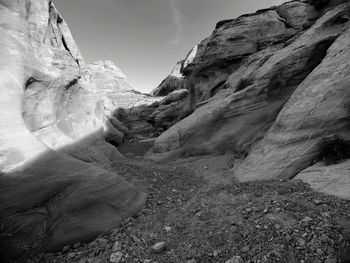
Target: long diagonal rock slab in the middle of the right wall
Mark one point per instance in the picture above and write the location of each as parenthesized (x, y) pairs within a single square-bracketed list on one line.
[(255, 93)]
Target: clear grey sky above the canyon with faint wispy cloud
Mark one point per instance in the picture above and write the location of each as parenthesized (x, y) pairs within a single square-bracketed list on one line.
[(145, 38)]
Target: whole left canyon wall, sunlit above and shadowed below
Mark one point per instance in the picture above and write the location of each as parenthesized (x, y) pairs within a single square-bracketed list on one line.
[(56, 183)]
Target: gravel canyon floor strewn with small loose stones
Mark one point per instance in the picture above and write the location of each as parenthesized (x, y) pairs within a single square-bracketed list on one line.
[(202, 216)]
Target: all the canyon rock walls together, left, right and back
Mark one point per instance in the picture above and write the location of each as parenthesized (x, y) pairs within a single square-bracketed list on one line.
[(271, 88)]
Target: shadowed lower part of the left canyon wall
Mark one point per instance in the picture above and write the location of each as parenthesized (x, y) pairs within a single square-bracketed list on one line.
[(64, 197)]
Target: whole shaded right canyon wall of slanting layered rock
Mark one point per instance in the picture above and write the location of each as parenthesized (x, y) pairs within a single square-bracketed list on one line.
[(268, 87)]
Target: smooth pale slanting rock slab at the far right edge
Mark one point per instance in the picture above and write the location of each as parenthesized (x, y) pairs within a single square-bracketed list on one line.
[(318, 108)]
